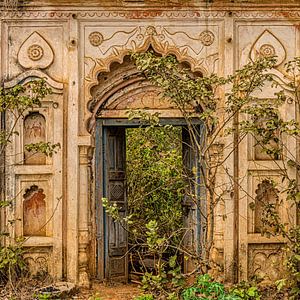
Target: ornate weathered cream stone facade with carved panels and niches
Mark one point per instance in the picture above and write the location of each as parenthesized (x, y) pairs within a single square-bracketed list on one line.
[(74, 45)]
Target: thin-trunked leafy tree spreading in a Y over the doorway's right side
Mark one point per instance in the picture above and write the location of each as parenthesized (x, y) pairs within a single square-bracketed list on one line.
[(200, 97)]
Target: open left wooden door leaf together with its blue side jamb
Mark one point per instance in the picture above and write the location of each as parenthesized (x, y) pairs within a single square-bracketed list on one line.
[(112, 235)]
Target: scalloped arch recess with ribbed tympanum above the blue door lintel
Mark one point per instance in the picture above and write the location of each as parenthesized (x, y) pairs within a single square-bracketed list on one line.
[(123, 88)]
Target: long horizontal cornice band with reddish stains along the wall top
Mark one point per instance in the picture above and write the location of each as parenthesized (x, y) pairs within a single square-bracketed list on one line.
[(142, 13)]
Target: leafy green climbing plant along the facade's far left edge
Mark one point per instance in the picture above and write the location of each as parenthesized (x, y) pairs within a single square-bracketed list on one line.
[(14, 103)]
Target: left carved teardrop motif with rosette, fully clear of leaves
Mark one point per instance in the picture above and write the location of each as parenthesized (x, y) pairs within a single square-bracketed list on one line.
[(35, 52)]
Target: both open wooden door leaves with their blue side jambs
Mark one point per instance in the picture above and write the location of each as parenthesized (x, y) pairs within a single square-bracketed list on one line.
[(112, 239)]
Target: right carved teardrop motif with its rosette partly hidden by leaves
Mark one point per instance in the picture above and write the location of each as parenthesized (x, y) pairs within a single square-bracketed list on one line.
[(267, 45)]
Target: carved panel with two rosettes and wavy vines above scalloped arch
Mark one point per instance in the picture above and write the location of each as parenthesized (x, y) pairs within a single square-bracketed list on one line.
[(193, 44)]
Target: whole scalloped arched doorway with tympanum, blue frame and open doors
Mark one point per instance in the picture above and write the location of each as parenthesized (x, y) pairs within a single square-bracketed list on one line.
[(119, 91)]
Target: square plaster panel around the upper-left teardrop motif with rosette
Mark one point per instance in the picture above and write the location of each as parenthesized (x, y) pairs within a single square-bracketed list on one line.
[(36, 47)]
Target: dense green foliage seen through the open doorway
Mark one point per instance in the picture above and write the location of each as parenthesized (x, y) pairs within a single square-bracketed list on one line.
[(154, 179)]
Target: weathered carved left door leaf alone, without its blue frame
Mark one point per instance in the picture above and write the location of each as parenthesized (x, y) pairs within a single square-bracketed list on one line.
[(115, 232)]
